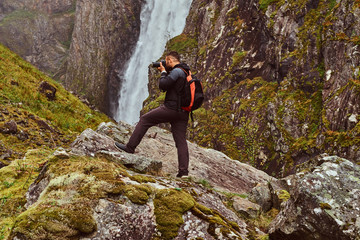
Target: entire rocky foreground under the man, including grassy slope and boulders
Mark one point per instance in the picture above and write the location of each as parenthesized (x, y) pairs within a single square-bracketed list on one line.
[(90, 190)]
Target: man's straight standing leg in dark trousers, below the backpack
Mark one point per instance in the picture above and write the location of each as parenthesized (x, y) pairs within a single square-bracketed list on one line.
[(178, 129)]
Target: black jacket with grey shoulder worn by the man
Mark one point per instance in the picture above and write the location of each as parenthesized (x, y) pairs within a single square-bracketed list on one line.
[(173, 83)]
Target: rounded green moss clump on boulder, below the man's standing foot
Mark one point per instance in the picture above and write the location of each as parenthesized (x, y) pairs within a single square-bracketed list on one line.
[(170, 205)]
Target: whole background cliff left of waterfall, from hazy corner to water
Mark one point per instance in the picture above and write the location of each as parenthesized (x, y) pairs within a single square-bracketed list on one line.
[(84, 44)]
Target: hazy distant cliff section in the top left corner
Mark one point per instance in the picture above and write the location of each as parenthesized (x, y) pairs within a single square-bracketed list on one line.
[(39, 31)]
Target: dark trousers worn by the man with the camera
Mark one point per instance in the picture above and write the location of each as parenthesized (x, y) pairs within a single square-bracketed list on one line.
[(178, 121)]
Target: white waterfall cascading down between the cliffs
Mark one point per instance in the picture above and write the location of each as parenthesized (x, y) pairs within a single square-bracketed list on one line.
[(160, 21)]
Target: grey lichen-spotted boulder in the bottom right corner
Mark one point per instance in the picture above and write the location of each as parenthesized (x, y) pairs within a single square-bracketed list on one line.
[(324, 204)]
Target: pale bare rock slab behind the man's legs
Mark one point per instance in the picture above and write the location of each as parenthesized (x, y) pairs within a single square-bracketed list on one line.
[(208, 165)]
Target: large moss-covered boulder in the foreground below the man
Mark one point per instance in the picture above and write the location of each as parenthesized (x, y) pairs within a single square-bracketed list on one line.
[(89, 198)]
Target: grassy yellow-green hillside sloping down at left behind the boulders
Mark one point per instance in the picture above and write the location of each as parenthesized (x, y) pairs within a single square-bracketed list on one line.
[(29, 117)]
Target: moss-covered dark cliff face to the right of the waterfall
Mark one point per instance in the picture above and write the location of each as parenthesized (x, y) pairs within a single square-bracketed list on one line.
[(282, 76)]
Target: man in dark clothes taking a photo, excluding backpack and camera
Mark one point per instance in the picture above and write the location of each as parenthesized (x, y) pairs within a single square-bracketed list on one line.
[(172, 83)]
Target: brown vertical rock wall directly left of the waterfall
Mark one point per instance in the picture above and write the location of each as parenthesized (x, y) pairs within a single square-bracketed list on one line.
[(104, 34)]
